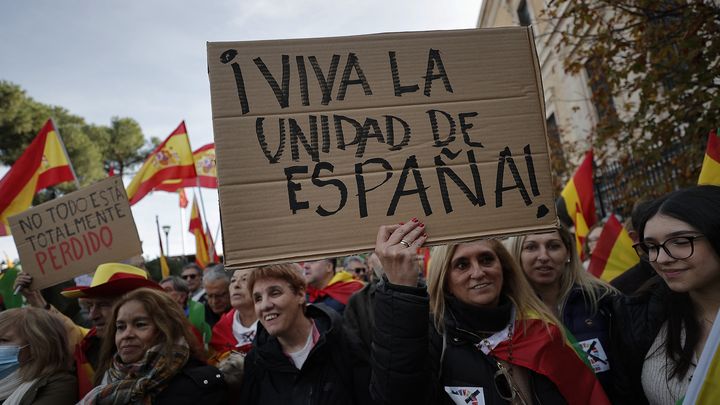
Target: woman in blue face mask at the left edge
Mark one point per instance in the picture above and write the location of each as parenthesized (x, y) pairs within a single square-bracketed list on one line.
[(35, 359)]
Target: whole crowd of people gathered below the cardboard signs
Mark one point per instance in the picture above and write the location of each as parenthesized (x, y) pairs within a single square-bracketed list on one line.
[(495, 321)]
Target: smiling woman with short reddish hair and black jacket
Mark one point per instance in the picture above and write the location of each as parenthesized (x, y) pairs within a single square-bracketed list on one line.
[(301, 353)]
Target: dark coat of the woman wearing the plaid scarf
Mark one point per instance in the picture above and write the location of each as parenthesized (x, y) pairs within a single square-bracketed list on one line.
[(196, 383)]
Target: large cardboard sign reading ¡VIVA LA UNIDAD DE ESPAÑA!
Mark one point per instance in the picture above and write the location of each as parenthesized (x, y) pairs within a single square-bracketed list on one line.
[(321, 141)]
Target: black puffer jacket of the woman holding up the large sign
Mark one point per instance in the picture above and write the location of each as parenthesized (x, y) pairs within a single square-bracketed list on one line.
[(407, 350)]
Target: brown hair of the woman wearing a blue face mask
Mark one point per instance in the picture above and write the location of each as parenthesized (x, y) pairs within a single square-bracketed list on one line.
[(46, 336)]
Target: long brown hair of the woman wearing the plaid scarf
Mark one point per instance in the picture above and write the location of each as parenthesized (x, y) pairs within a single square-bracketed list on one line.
[(168, 318)]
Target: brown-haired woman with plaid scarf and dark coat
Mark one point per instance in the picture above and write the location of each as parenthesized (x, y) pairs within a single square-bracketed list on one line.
[(154, 356)]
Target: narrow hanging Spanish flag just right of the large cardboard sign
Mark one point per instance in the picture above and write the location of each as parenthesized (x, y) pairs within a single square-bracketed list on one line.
[(577, 200)]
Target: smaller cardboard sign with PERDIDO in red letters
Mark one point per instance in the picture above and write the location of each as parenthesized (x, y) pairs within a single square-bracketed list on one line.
[(73, 234)]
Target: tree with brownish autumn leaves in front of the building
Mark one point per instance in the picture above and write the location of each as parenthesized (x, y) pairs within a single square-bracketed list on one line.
[(654, 69)]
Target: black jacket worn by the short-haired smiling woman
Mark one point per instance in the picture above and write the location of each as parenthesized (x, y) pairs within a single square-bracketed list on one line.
[(334, 372)]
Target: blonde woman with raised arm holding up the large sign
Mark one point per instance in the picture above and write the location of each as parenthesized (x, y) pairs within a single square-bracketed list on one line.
[(478, 333)]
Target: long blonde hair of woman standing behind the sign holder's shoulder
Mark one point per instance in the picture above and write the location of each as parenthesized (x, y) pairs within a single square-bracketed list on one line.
[(593, 289)]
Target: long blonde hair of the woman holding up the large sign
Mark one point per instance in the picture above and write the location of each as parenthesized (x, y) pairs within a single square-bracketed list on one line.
[(515, 286)]
